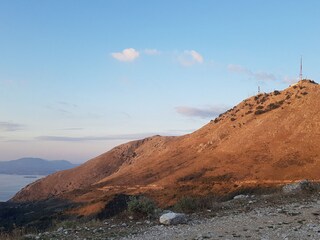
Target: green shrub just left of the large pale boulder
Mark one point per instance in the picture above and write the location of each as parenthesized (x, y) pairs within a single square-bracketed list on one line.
[(141, 205)]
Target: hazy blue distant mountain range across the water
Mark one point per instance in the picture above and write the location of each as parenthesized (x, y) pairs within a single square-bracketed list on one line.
[(34, 166)]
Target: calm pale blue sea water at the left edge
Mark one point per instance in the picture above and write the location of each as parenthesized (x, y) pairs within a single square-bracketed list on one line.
[(11, 184)]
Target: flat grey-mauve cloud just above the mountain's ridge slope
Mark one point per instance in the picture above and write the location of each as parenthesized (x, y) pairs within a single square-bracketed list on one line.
[(207, 112)]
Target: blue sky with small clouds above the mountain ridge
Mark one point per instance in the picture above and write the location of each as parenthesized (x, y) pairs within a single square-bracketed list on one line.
[(78, 77)]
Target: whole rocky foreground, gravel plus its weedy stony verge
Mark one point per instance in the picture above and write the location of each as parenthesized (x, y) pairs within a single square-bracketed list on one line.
[(275, 216)]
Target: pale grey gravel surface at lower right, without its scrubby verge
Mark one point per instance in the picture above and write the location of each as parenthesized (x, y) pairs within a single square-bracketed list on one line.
[(291, 221)]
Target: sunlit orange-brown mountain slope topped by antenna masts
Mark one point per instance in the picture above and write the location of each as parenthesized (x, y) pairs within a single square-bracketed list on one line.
[(267, 139)]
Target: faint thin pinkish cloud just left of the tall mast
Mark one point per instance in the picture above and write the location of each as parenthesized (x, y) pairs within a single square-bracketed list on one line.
[(260, 76)]
